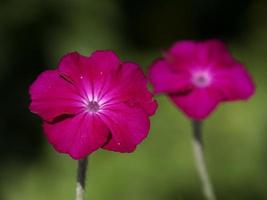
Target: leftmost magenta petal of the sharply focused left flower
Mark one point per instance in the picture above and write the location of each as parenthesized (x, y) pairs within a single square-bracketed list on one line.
[(52, 96)]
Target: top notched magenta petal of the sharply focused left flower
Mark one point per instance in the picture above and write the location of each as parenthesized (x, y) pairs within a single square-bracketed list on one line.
[(90, 73)]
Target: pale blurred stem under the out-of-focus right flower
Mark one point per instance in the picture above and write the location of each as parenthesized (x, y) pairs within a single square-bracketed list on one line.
[(200, 161)]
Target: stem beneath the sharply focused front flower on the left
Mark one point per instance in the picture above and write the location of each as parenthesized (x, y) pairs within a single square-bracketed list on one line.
[(81, 176)]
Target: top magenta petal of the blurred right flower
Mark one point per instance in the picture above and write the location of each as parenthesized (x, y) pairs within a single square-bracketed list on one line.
[(188, 54)]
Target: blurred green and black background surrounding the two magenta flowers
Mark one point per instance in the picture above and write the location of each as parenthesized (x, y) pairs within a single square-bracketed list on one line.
[(35, 34)]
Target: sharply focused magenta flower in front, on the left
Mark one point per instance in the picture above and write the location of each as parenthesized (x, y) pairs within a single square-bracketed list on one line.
[(93, 102)]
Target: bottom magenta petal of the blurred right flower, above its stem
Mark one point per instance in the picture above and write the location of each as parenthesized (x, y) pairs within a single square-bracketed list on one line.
[(199, 103)]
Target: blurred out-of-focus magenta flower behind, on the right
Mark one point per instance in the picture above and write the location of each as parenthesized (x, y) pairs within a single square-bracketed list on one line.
[(197, 76)]
